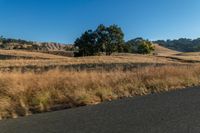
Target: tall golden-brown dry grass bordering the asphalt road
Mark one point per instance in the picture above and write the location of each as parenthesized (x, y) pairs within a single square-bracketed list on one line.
[(22, 94)]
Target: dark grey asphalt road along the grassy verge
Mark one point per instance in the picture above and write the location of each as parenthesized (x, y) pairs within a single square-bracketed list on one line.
[(174, 112)]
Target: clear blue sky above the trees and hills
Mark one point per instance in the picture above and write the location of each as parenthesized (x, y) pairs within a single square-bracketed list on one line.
[(65, 20)]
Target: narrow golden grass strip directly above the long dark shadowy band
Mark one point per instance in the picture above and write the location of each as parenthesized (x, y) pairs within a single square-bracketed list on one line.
[(98, 60)]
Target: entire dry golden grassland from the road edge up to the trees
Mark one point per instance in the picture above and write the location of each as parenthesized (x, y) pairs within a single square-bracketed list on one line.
[(32, 82)]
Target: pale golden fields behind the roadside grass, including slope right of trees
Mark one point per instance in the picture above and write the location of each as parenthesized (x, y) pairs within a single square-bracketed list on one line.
[(22, 59)]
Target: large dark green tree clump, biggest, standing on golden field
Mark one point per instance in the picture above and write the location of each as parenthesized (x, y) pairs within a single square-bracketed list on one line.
[(102, 40)]
